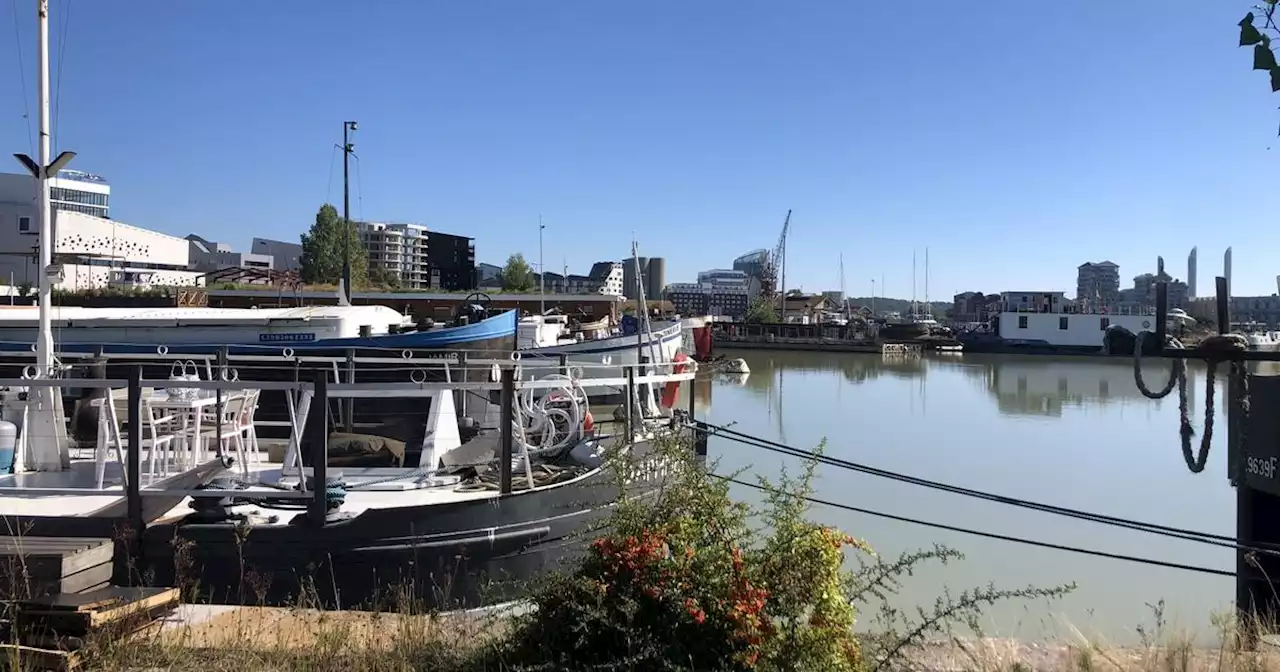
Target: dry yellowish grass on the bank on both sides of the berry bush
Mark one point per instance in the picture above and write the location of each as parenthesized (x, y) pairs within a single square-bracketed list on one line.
[(296, 639)]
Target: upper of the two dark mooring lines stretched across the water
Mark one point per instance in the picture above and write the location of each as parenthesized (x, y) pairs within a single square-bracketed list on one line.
[(1177, 533)]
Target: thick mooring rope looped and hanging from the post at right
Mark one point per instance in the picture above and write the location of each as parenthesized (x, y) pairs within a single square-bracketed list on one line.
[(1219, 349)]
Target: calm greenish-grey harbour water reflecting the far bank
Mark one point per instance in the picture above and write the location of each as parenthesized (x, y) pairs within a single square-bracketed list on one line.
[(1066, 432)]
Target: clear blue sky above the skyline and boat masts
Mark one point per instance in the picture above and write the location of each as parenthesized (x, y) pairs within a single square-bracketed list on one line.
[(1016, 140)]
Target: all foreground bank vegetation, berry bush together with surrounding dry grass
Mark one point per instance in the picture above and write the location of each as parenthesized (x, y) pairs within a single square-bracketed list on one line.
[(688, 579)]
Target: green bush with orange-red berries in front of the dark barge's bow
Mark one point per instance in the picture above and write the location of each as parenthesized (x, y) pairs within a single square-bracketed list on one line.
[(685, 578)]
